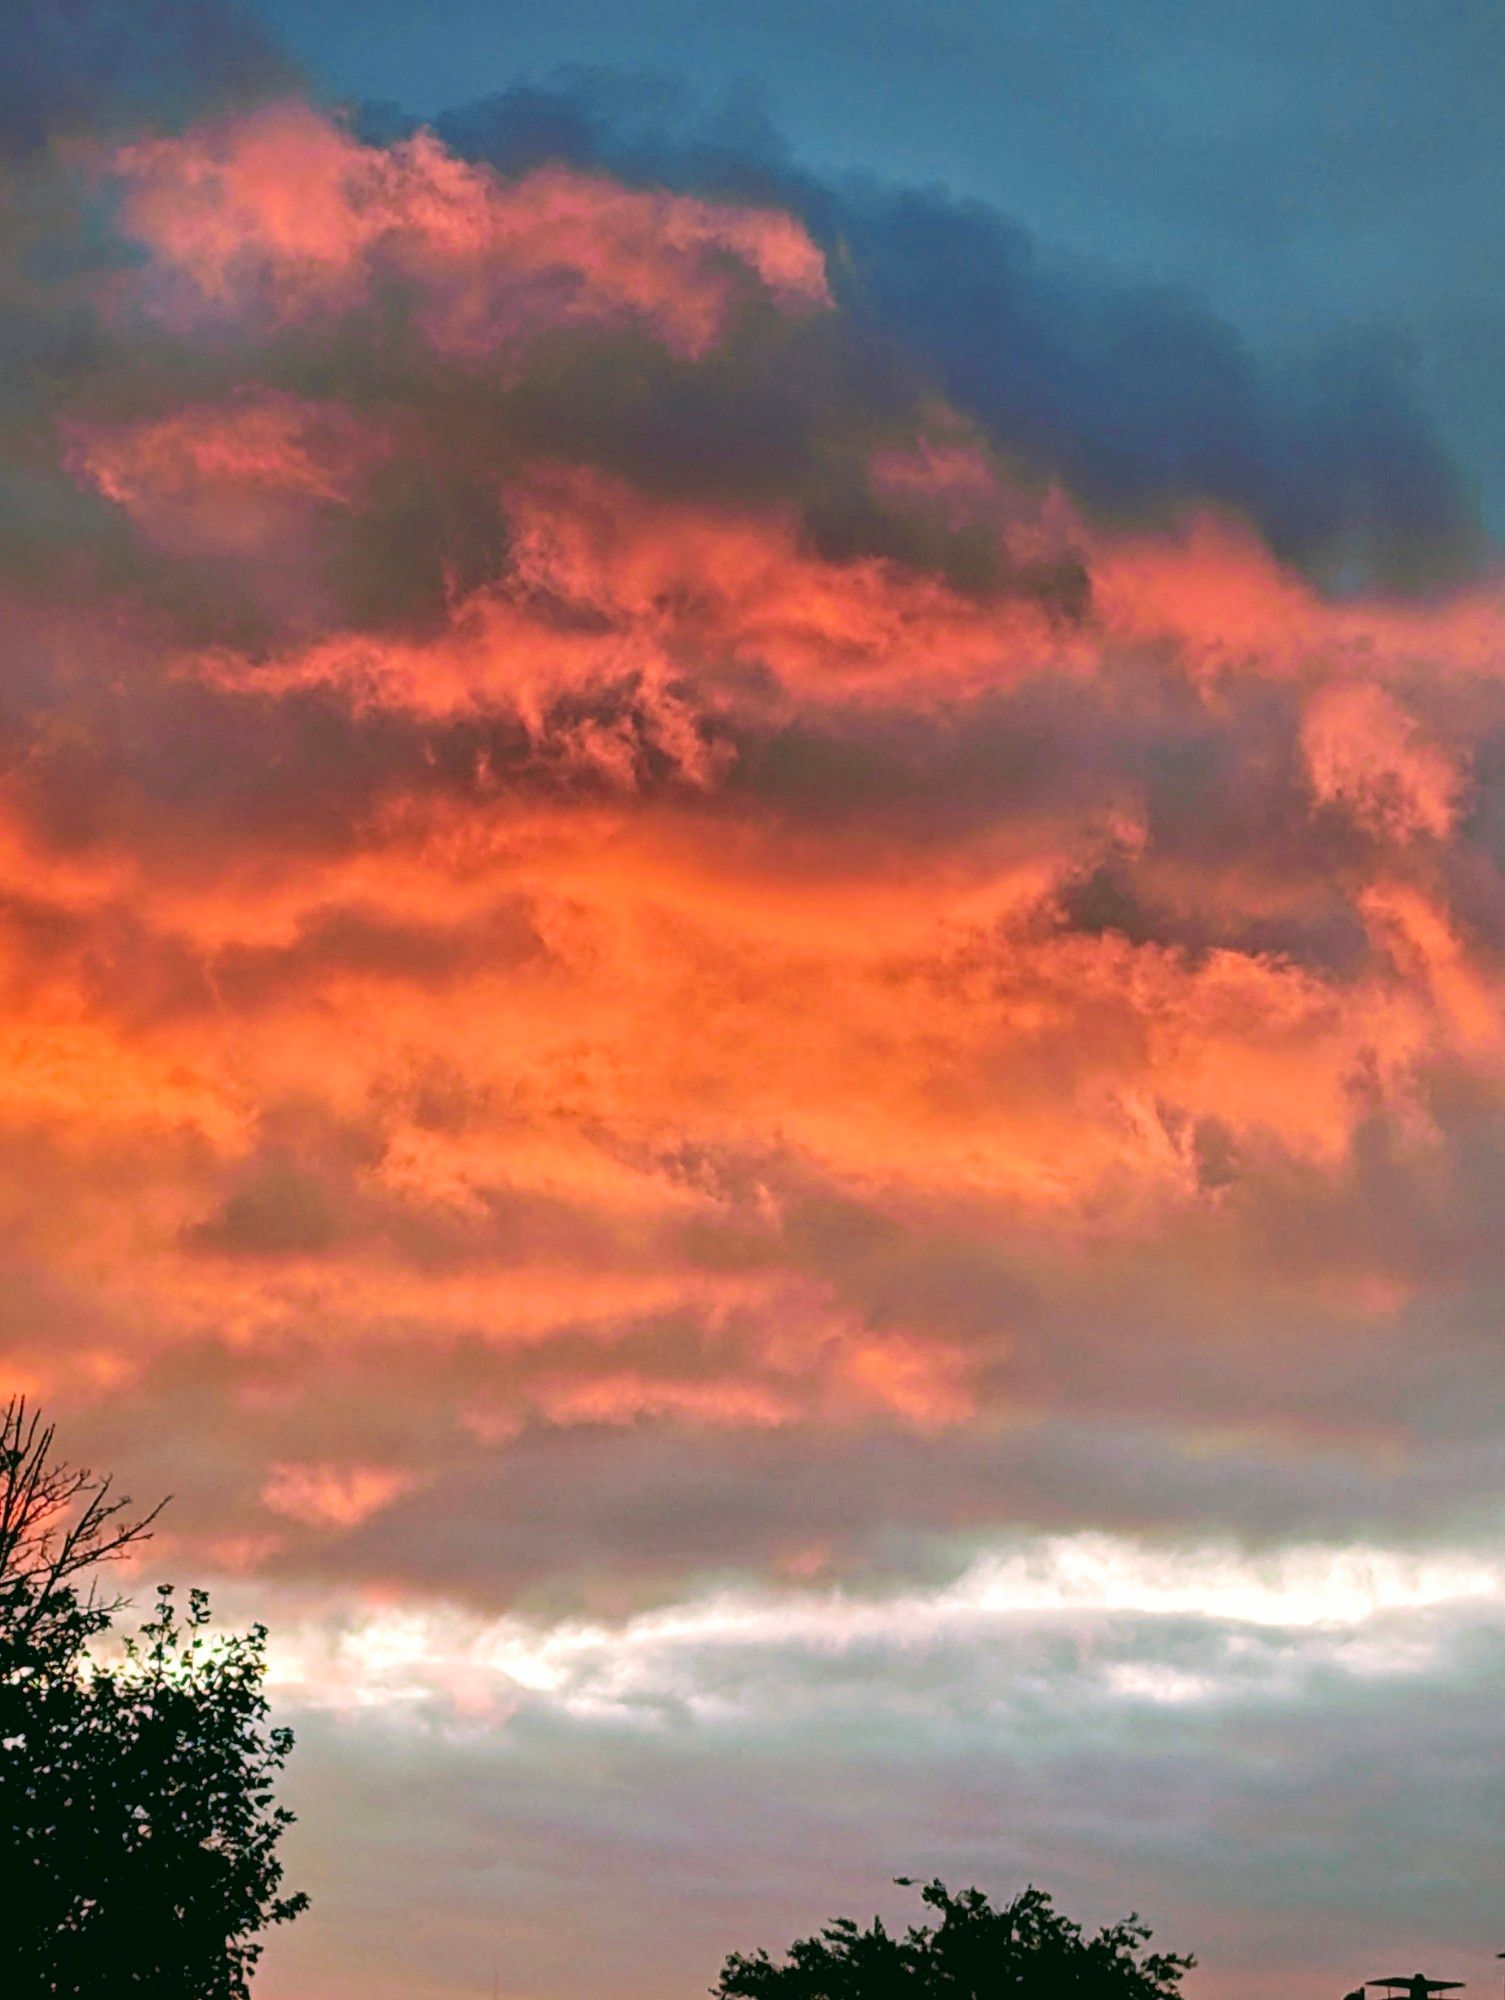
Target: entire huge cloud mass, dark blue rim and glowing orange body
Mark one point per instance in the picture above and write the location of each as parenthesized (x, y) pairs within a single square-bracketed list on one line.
[(705, 881)]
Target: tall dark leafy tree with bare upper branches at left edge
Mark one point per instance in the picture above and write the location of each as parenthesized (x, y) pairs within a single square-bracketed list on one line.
[(137, 1817)]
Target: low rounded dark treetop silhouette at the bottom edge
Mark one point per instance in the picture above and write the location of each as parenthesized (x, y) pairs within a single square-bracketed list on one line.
[(1026, 1949)]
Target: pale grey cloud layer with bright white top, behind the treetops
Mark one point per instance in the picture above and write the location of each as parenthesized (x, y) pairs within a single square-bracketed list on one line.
[(1128, 1727)]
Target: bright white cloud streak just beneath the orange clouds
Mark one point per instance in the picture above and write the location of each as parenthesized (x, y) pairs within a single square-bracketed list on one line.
[(1168, 1625)]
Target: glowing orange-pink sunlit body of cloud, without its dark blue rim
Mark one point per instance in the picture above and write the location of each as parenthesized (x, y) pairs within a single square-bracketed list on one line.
[(511, 915)]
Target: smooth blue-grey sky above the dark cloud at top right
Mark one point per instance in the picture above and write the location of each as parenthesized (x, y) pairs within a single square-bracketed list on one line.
[(1308, 171)]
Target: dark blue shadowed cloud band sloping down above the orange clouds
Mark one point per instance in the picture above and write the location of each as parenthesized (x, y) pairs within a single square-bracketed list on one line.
[(1136, 395)]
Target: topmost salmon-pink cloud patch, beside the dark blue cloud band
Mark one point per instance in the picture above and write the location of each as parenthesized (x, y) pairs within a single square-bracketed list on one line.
[(285, 211)]
